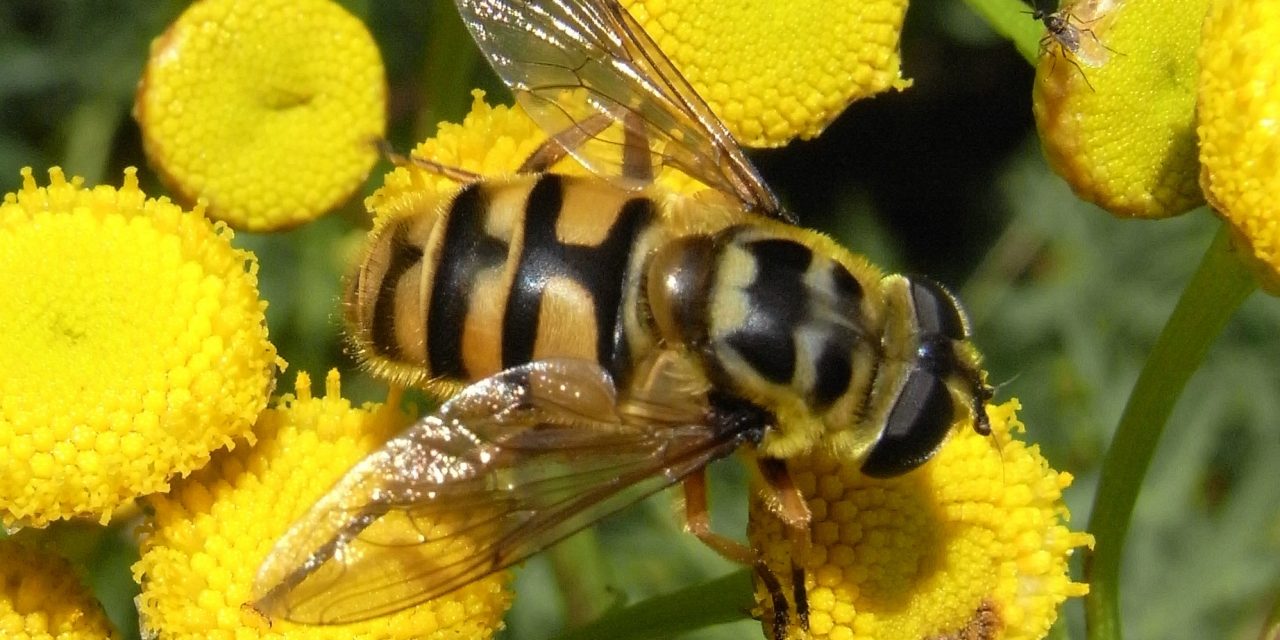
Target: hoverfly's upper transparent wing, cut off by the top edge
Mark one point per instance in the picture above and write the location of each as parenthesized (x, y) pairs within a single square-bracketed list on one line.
[(584, 70)]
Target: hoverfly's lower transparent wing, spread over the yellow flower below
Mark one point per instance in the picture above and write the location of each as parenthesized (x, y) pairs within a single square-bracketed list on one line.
[(509, 467)]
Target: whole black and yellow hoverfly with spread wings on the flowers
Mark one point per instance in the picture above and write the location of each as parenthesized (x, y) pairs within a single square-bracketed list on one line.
[(616, 337)]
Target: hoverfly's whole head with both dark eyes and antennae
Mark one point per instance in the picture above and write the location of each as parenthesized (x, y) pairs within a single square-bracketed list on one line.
[(930, 378)]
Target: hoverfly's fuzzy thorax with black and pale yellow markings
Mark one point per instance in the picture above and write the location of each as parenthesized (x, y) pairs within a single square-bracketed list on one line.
[(774, 319)]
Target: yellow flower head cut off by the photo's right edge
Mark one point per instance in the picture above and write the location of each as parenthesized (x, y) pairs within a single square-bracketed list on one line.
[(1240, 111)]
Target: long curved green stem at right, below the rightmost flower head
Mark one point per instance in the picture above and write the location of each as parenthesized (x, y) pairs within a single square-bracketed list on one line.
[(1218, 289)]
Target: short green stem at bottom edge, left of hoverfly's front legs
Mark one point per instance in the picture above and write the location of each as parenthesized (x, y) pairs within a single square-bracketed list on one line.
[(721, 601)]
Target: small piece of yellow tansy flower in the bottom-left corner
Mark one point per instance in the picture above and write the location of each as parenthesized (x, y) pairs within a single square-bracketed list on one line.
[(42, 597)]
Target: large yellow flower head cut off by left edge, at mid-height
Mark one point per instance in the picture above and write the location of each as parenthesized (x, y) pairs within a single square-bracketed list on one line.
[(132, 342)]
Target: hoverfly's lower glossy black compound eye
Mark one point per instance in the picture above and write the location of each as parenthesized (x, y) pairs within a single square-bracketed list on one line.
[(916, 428)]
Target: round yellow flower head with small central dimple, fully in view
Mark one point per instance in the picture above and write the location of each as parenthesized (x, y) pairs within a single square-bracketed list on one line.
[(269, 109)]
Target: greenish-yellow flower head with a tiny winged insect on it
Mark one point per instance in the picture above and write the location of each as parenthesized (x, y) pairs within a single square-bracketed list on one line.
[(1117, 111)]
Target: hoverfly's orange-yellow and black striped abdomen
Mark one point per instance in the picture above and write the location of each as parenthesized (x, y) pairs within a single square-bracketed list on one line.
[(509, 272)]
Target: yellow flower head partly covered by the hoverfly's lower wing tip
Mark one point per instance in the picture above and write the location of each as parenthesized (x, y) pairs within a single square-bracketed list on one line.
[(204, 542)]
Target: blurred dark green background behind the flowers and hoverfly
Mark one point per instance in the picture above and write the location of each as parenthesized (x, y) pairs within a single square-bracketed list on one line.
[(945, 179)]
